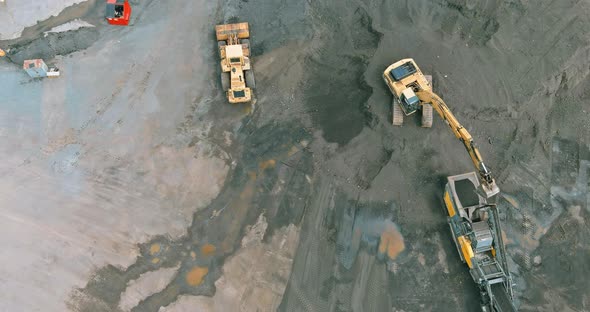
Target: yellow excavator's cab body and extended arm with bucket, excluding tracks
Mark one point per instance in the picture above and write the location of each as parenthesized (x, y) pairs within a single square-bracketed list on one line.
[(412, 90)]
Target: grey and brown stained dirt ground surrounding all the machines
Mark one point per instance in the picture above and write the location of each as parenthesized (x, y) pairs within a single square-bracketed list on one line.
[(130, 184)]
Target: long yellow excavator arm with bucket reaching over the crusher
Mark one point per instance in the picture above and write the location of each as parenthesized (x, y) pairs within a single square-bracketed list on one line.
[(488, 185)]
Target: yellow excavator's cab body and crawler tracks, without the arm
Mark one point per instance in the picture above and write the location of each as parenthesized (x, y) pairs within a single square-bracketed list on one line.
[(398, 77)]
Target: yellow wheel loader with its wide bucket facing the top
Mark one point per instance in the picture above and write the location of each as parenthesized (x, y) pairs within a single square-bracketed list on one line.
[(237, 77)]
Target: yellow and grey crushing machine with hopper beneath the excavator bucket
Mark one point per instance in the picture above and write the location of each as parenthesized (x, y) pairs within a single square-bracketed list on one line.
[(475, 226)]
